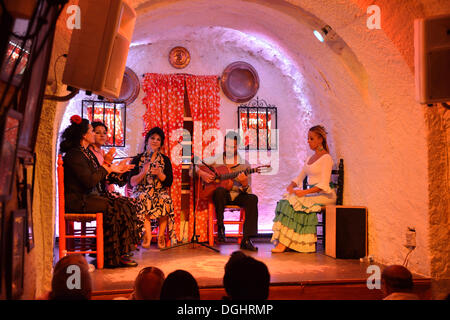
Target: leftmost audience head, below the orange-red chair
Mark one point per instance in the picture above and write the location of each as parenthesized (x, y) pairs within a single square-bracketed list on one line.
[(71, 279)]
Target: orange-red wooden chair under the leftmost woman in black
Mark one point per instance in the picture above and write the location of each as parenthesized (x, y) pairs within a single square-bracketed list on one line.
[(66, 226)]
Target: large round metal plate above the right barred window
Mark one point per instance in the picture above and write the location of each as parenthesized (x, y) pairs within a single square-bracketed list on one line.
[(239, 81)]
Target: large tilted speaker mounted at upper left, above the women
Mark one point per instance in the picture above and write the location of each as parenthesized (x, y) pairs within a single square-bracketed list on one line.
[(98, 50)]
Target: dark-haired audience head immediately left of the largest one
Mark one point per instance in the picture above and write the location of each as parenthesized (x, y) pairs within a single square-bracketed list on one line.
[(180, 285)]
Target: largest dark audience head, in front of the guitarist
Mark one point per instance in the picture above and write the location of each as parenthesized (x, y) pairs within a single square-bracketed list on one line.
[(246, 278)]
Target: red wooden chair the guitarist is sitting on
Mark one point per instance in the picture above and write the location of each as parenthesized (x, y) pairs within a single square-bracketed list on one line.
[(212, 222)]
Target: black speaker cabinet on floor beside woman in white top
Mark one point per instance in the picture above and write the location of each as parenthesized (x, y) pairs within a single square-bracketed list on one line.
[(346, 232)]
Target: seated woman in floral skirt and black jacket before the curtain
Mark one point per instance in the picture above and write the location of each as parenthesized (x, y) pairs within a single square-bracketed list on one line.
[(151, 180)]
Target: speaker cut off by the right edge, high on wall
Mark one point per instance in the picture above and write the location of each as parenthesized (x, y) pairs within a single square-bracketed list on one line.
[(432, 59)]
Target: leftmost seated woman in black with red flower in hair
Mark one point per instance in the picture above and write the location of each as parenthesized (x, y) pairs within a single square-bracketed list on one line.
[(84, 192)]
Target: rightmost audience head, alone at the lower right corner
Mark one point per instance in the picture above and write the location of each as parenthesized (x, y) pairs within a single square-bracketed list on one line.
[(397, 284)]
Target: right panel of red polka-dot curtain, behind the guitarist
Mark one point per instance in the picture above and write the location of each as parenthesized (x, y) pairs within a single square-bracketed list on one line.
[(204, 101)]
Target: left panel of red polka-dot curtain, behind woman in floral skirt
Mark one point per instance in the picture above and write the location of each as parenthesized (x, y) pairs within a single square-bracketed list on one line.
[(165, 102)]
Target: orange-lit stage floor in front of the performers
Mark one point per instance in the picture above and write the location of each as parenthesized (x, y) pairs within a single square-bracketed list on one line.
[(207, 266)]
